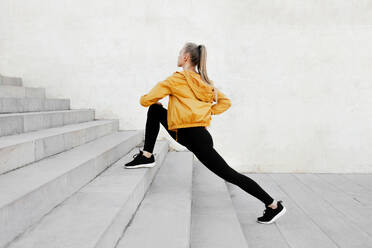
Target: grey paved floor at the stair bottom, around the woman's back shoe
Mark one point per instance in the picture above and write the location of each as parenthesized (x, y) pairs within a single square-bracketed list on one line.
[(323, 210)]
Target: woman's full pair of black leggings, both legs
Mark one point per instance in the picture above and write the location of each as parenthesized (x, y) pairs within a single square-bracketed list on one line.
[(199, 141)]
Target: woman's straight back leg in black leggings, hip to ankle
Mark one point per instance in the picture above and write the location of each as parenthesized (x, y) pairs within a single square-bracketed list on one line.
[(200, 142)]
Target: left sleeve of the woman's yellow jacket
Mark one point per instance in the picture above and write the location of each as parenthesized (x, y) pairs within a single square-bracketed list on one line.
[(159, 91)]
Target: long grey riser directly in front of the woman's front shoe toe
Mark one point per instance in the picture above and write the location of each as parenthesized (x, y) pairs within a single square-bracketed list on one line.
[(21, 214)]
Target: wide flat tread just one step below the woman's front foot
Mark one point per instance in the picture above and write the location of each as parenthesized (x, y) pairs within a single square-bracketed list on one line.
[(163, 218)]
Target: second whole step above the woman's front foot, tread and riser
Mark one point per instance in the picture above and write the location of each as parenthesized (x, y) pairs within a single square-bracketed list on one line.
[(40, 144)]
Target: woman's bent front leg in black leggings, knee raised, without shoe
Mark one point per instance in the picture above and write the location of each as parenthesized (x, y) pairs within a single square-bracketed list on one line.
[(156, 114)]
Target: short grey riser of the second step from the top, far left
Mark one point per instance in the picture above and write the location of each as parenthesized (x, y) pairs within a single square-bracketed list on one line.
[(21, 92)]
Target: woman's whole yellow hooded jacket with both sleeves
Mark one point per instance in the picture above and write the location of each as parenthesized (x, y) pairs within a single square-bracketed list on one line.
[(190, 100)]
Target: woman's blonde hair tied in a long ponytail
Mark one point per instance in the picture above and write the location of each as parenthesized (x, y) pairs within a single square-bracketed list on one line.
[(198, 55)]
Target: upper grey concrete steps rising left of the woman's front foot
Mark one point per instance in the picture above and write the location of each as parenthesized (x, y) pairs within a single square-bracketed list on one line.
[(47, 156)]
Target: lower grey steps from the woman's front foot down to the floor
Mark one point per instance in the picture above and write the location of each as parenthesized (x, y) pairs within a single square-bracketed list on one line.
[(177, 203)]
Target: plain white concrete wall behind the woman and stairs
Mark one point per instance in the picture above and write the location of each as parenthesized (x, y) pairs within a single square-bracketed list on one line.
[(298, 72)]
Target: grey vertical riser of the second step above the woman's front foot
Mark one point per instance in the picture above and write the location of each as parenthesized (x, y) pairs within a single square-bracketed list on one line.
[(35, 150)]
